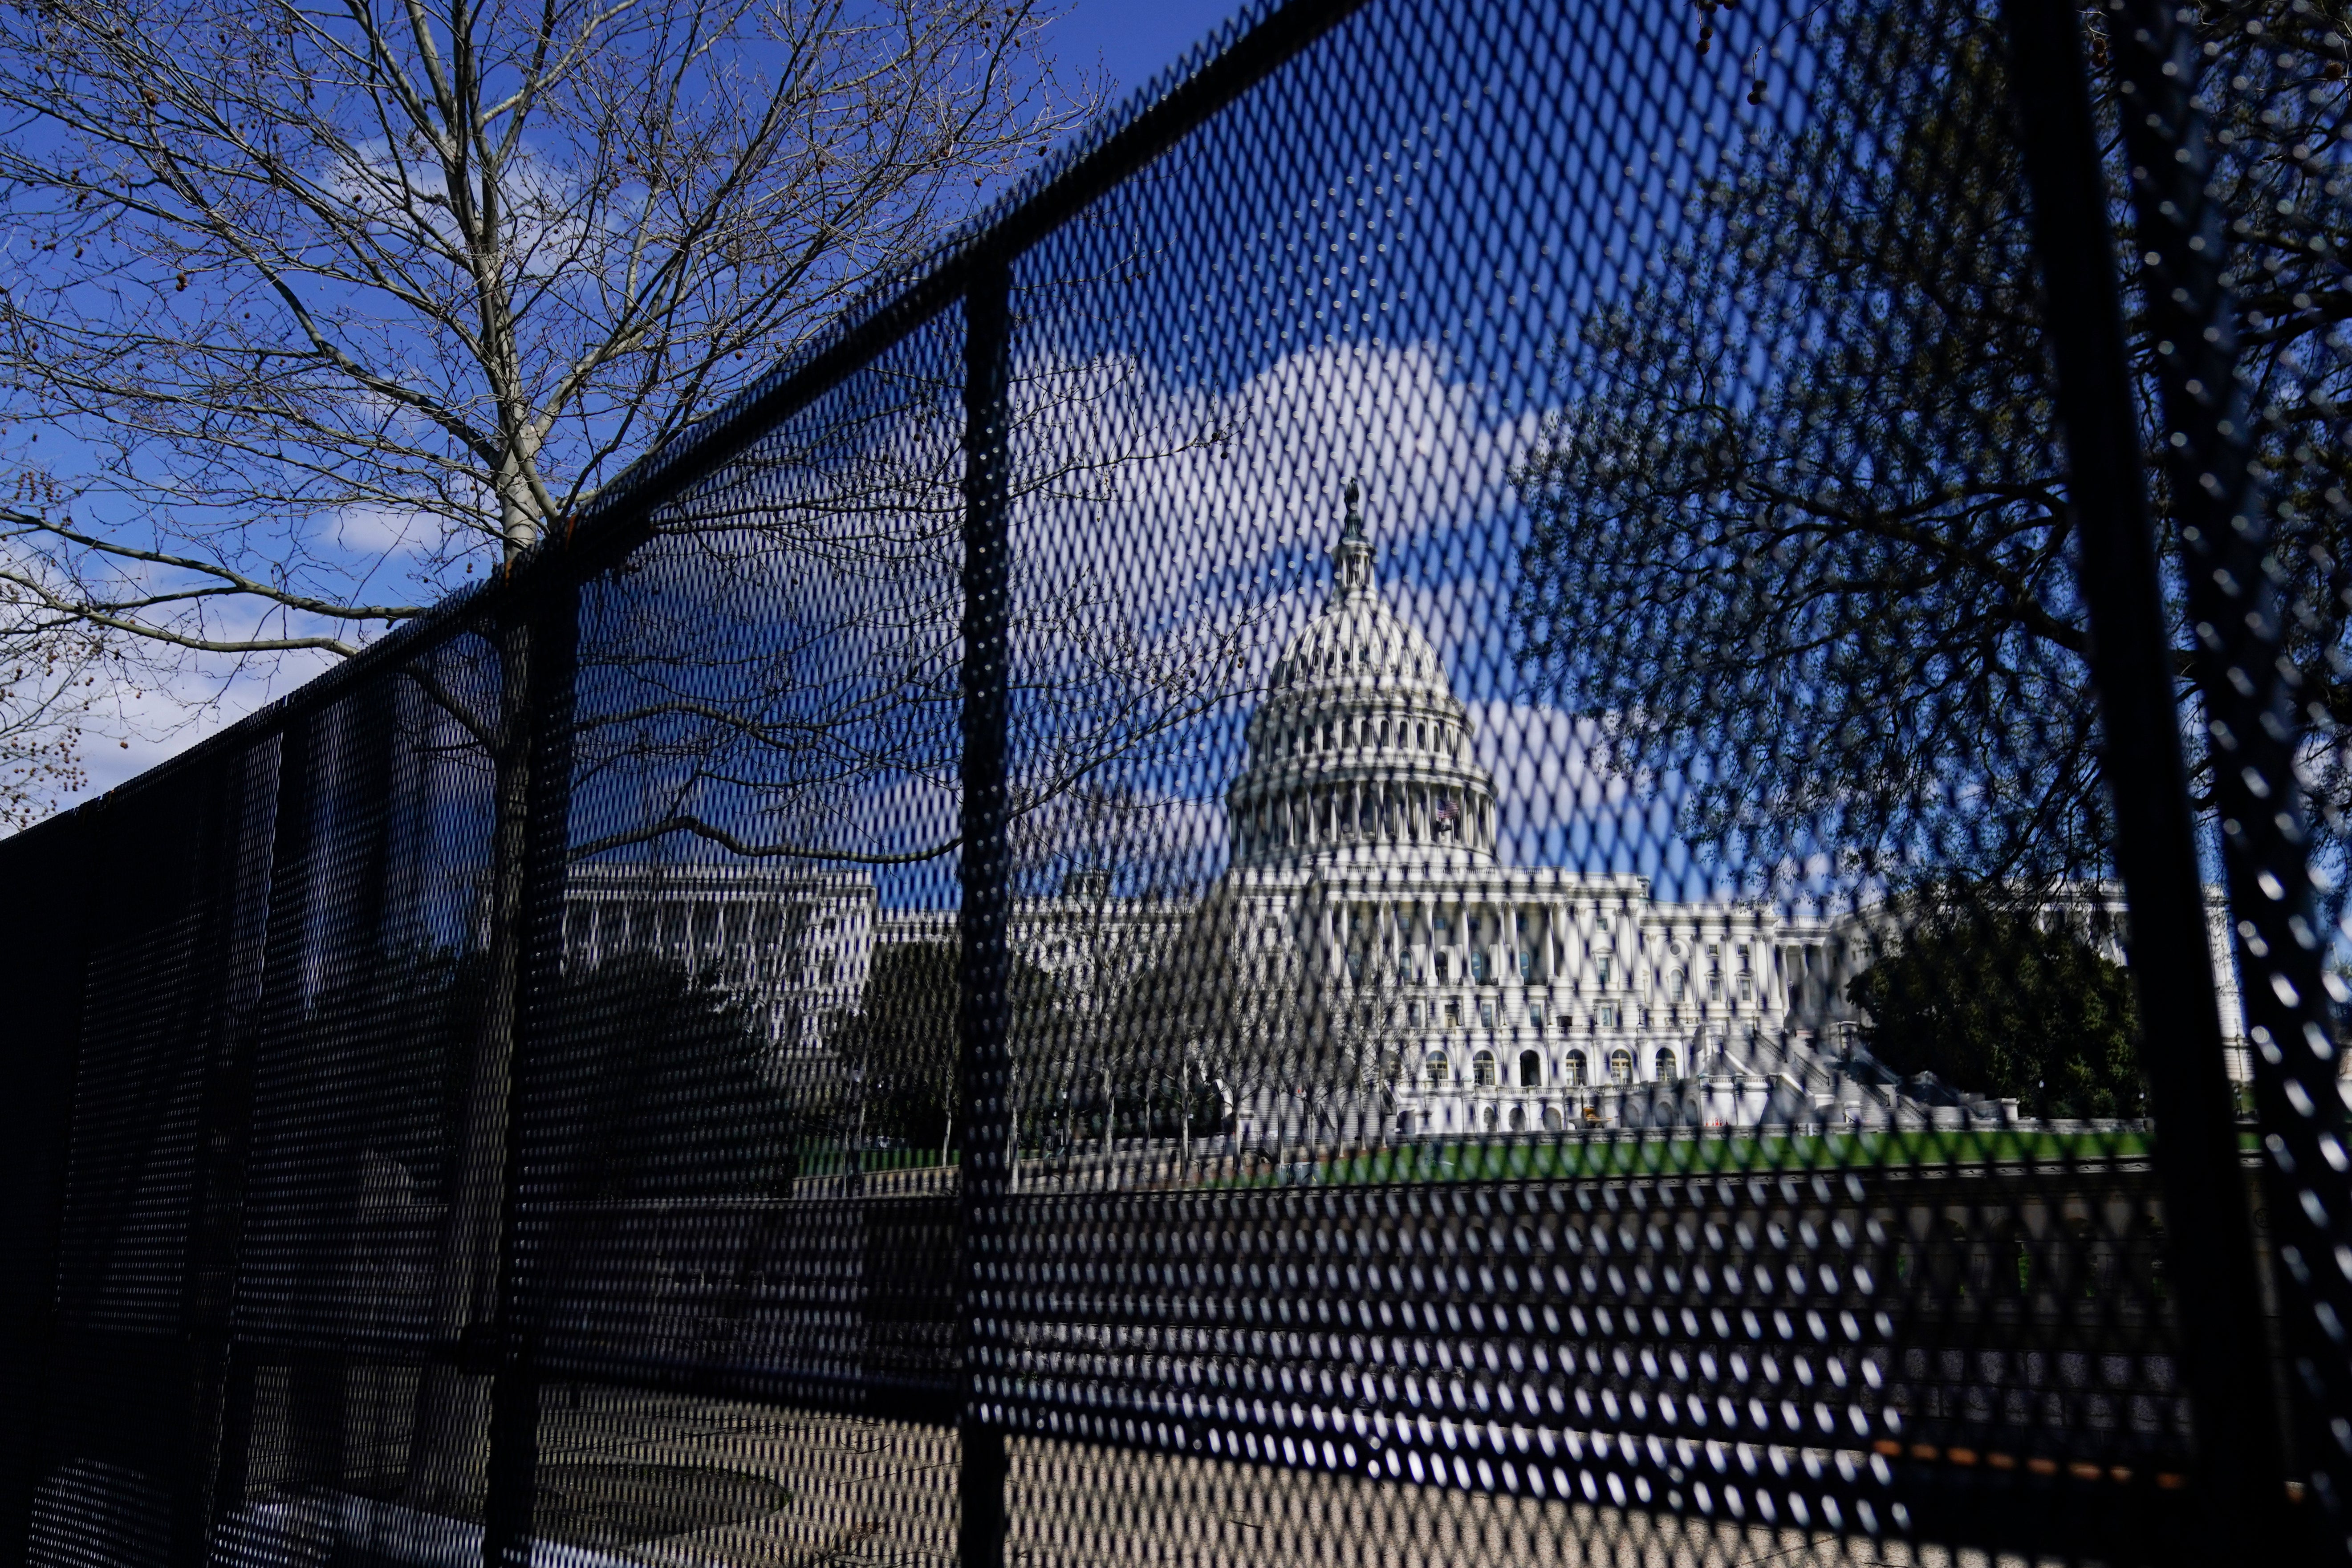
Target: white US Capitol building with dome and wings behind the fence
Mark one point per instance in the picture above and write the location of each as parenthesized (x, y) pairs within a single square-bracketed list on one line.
[(1365, 880)]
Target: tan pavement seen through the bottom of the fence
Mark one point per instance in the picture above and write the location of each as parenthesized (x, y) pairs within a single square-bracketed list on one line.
[(768, 1489)]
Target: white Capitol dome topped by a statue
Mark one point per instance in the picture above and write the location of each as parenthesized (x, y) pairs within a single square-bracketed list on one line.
[(1361, 751)]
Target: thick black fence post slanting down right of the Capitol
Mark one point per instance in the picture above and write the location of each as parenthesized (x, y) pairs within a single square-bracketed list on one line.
[(2210, 1231)]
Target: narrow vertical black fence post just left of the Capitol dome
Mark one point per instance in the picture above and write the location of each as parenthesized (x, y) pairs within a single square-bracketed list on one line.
[(984, 970)]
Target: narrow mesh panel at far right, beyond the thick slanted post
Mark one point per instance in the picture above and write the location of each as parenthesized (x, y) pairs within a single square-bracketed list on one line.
[(2240, 208)]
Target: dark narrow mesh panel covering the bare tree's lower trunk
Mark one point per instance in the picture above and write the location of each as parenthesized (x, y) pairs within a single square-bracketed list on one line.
[(361, 1024)]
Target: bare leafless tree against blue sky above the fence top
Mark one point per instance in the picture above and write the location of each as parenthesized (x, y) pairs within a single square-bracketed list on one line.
[(347, 304)]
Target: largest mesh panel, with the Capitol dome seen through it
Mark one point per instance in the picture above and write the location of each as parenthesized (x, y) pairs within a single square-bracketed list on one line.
[(1553, 601)]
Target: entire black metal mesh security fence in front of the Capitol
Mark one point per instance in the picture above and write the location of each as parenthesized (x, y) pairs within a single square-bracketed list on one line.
[(1535, 782)]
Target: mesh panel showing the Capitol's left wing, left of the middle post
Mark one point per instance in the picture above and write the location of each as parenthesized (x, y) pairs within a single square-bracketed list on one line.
[(744, 1078)]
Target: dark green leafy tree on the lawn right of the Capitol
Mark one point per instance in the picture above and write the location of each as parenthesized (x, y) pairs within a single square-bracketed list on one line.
[(1993, 1003)]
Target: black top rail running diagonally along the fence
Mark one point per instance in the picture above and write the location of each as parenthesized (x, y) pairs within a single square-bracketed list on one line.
[(1245, 51)]
